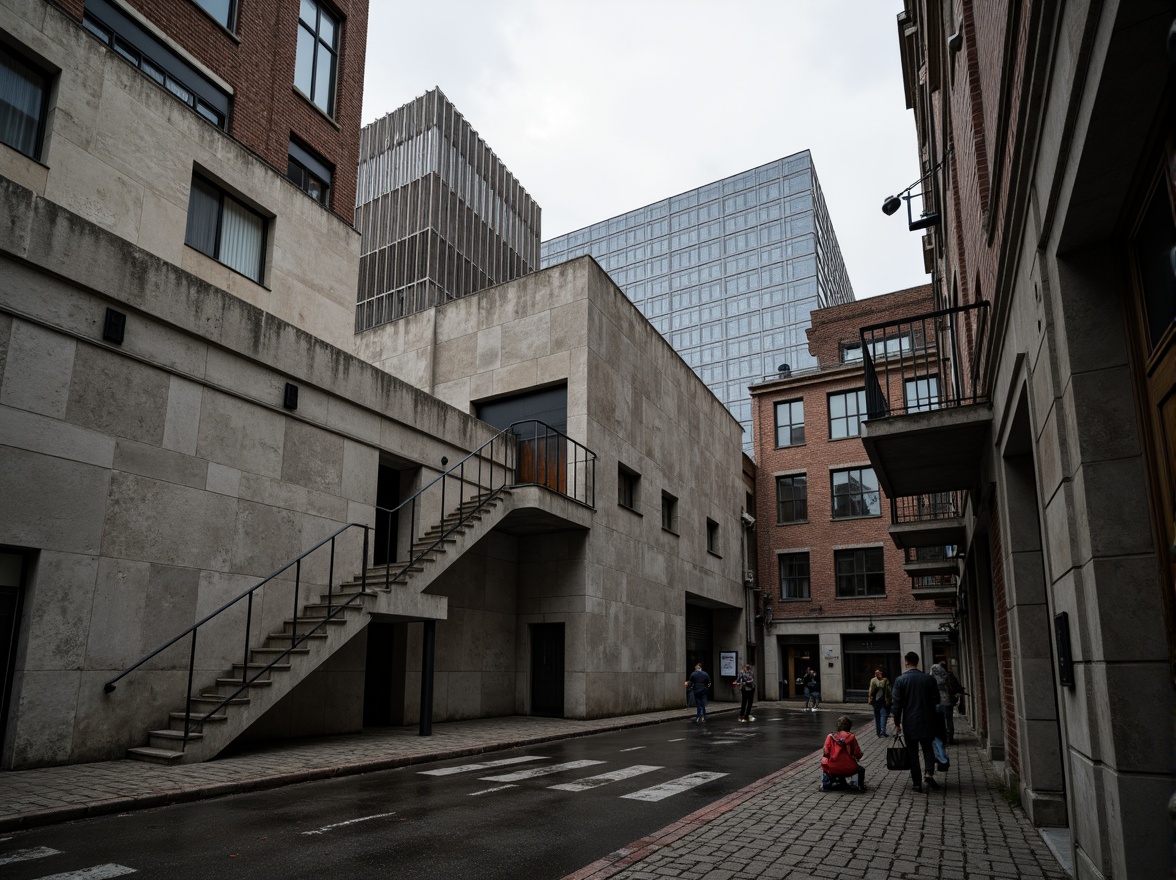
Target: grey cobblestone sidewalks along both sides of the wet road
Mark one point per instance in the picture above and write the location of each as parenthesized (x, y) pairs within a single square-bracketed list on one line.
[(779, 828)]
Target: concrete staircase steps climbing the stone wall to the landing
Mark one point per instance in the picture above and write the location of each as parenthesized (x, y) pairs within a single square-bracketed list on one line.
[(325, 625)]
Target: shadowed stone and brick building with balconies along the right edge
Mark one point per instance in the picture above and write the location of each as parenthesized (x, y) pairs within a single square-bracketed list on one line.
[(1046, 136)]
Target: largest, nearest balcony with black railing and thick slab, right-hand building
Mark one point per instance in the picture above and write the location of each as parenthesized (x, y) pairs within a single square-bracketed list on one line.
[(930, 416)]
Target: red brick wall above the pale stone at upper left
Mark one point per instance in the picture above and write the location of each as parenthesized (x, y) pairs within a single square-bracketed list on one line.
[(258, 62)]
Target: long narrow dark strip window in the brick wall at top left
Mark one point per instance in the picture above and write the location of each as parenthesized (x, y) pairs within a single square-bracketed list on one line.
[(157, 62)]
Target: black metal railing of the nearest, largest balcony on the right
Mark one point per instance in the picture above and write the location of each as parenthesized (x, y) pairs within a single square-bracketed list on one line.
[(926, 363)]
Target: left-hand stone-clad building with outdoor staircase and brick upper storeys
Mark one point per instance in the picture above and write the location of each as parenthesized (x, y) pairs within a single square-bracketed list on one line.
[(219, 524)]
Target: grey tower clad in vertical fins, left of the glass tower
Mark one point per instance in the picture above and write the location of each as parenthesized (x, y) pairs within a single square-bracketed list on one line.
[(440, 216)]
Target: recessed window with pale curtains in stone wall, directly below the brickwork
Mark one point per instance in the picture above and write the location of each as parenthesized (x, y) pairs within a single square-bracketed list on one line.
[(224, 229)]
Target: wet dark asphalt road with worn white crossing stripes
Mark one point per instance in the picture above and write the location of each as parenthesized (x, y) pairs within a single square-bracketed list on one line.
[(418, 823)]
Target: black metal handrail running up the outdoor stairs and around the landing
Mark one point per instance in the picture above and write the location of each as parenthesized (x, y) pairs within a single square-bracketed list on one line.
[(506, 442)]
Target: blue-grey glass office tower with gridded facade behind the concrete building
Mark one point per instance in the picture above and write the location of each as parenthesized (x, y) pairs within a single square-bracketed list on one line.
[(729, 272)]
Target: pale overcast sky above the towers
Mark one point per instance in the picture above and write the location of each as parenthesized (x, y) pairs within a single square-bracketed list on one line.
[(606, 106)]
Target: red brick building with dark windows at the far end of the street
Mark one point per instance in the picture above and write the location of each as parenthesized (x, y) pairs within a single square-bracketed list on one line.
[(839, 594)]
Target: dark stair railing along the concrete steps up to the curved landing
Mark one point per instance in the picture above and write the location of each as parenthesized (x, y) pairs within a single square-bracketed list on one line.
[(480, 478)]
